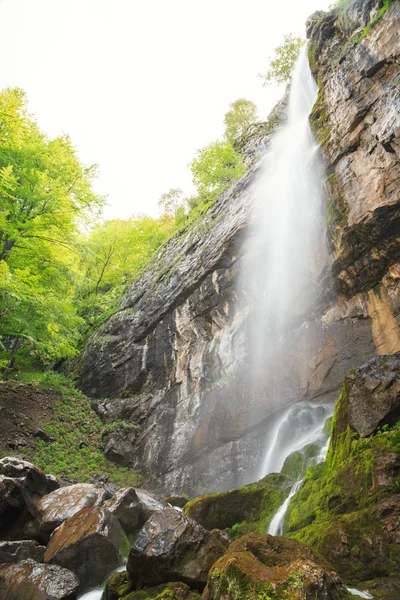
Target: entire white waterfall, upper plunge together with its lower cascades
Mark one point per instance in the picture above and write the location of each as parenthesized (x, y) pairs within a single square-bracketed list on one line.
[(285, 253)]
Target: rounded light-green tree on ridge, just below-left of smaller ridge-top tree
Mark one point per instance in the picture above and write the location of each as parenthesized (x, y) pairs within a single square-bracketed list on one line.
[(214, 168)]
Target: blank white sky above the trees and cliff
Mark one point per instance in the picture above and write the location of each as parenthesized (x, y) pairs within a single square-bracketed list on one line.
[(141, 84)]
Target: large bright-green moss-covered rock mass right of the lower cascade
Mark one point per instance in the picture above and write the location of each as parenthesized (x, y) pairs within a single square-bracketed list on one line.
[(343, 504)]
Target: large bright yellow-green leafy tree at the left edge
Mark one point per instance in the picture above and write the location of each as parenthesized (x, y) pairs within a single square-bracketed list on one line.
[(45, 192)]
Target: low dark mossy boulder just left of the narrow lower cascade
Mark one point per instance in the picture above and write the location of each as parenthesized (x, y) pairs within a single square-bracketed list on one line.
[(253, 505)]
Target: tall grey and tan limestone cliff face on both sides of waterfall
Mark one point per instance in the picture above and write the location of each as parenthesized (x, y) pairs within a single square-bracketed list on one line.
[(175, 357)]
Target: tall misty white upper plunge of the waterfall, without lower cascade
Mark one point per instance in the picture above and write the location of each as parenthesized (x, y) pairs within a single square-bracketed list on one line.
[(285, 250)]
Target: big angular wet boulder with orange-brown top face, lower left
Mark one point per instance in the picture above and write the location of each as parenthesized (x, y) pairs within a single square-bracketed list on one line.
[(92, 543)]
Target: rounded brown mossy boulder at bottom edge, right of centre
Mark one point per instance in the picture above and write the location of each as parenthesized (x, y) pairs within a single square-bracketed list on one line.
[(263, 566)]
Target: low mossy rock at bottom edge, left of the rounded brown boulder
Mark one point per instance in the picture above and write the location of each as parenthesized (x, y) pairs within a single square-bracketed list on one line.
[(120, 587)]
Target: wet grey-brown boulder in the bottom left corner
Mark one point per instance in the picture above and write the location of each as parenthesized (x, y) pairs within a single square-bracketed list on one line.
[(29, 580)]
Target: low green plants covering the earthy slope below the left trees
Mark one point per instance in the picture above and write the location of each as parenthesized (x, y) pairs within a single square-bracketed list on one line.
[(78, 433)]
